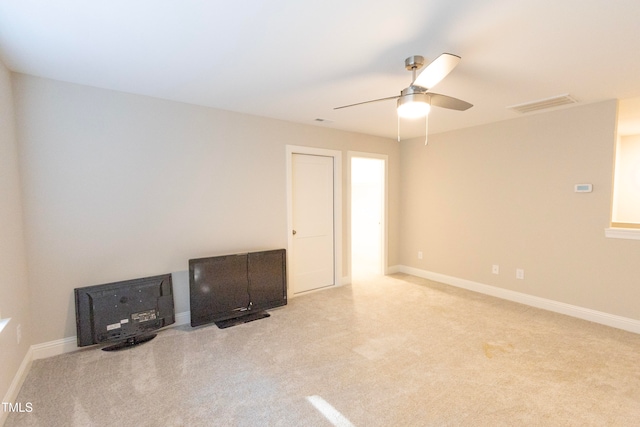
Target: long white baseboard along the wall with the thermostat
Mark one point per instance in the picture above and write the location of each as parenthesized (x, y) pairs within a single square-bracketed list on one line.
[(624, 323)]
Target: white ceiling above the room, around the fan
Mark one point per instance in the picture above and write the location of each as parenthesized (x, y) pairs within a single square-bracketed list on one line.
[(296, 60)]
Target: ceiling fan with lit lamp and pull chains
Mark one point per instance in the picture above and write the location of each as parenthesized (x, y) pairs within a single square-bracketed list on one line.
[(415, 101)]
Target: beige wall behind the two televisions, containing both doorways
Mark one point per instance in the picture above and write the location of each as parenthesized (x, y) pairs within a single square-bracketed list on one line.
[(119, 186)]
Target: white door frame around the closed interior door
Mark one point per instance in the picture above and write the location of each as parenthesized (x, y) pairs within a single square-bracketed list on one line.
[(337, 208)]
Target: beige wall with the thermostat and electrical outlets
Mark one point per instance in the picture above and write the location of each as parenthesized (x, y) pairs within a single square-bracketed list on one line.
[(503, 194)]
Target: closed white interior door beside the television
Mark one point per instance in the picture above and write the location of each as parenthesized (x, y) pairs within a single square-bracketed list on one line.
[(313, 222)]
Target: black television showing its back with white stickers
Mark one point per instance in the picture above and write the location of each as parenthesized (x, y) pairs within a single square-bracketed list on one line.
[(124, 313)]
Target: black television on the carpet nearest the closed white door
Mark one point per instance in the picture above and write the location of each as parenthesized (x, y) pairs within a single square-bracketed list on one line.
[(231, 289)]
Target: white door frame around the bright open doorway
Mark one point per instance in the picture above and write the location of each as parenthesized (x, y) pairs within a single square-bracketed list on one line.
[(384, 232)]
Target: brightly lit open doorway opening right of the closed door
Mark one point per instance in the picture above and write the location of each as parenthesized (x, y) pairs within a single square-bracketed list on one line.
[(368, 201)]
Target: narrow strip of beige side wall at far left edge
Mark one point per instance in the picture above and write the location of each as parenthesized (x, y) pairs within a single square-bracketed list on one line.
[(14, 296)]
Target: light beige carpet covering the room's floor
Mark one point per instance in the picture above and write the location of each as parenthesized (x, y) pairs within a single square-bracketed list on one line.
[(390, 351)]
